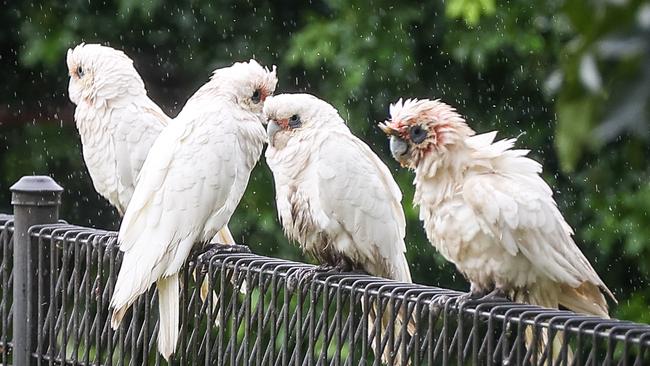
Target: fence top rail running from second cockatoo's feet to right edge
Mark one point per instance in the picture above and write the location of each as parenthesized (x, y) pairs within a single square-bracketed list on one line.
[(497, 310)]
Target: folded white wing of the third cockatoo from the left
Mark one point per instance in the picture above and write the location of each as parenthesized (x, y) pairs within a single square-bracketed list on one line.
[(357, 190)]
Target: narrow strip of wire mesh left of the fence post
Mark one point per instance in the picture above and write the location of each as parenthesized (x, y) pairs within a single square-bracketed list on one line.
[(6, 287)]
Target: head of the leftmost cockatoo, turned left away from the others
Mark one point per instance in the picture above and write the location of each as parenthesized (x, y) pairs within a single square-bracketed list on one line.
[(99, 73)]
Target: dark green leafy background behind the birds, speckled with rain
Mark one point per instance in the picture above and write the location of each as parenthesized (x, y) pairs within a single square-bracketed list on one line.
[(570, 78)]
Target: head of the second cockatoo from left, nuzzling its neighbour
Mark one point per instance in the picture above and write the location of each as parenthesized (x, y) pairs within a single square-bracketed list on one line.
[(247, 83)]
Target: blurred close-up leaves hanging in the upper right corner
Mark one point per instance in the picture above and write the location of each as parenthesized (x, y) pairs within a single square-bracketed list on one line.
[(606, 77)]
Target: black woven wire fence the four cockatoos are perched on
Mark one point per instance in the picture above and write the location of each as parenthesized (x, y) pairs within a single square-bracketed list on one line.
[(259, 314)]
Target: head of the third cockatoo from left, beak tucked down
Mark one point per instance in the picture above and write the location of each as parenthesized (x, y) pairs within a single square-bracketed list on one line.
[(291, 114)]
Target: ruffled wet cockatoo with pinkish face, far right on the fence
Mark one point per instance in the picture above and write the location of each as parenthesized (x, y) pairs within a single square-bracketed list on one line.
[(487, 210)]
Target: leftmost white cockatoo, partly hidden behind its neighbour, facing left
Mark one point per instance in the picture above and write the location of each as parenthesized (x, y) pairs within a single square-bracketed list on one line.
[(117, 121)]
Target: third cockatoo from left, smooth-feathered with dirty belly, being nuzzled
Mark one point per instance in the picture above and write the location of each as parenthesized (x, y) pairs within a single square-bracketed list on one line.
[(334, 195)]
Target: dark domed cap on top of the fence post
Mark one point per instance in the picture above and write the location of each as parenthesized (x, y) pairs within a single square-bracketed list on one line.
[(36, 190)]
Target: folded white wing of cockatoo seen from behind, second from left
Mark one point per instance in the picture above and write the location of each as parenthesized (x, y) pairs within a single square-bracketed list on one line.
[(186, 182)]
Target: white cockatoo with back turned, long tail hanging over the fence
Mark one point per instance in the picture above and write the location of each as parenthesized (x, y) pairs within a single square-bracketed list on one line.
[(190, 184)]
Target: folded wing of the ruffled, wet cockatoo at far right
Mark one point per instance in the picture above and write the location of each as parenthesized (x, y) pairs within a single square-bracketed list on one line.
[(519, 210)]
